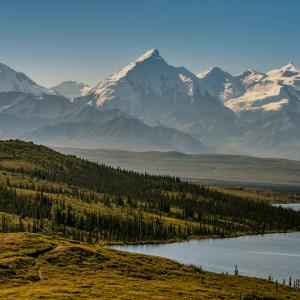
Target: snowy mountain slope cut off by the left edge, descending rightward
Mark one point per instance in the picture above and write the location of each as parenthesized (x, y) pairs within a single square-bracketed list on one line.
[(13, 81)]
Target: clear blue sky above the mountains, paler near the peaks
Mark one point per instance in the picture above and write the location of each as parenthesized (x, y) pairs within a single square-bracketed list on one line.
[(55, 40)]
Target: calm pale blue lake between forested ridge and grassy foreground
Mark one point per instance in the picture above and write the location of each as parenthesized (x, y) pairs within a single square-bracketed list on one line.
[(277, 254)]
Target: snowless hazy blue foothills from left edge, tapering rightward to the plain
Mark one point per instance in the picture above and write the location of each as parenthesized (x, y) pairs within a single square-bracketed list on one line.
[(55, 120)]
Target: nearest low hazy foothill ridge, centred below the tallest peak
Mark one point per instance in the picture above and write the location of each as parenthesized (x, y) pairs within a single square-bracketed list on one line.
[(117, 133)]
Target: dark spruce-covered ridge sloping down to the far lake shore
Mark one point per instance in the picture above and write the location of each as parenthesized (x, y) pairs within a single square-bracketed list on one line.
[(42, 190)]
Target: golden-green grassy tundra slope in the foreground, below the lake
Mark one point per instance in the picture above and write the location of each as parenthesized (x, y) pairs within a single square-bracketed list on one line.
[(33, 266)]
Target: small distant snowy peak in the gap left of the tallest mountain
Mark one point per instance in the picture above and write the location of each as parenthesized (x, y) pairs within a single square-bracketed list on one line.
[(71, 89)]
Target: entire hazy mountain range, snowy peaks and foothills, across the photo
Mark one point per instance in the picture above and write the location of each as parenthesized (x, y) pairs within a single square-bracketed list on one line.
[(151, 105)]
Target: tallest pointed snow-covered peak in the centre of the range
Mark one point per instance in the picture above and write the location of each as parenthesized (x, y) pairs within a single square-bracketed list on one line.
[(150, 87)]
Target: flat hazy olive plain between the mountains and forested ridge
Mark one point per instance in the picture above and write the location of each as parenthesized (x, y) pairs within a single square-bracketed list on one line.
[(235, 169)]
